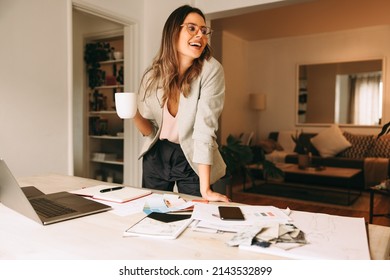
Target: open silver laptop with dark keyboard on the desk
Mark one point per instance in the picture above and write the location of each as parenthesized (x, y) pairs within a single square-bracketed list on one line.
[(43, 208)]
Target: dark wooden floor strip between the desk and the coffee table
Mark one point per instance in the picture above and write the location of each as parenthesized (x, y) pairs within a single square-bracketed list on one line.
[(360, 208)]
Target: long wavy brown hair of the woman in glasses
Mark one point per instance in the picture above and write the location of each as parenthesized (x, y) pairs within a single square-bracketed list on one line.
[(164, 71)]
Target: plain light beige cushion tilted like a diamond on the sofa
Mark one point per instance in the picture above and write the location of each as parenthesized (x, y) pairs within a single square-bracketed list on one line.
[(330, 141)]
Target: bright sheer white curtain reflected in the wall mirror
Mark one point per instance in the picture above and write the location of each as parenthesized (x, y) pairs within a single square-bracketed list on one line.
[(366, 99)]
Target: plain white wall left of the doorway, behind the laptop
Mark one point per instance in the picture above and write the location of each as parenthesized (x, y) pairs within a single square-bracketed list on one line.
[(34, 88)]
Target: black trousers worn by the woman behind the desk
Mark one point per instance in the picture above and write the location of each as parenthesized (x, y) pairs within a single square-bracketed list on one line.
[(164, 165)]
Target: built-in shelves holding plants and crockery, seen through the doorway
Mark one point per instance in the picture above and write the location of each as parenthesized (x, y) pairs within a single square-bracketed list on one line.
[(105, 139)]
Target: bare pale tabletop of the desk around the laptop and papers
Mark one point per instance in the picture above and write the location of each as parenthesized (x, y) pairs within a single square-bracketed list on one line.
[(100, 236)]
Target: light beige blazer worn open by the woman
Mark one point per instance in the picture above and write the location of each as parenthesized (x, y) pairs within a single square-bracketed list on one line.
[(198, 119)]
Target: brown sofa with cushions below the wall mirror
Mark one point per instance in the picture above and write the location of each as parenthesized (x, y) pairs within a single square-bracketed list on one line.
[(344, 149)]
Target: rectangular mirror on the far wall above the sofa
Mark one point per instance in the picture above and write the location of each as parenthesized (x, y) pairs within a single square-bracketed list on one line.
[(343, 93)]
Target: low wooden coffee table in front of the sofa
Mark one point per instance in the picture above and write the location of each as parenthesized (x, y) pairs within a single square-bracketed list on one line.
[(315, 179)]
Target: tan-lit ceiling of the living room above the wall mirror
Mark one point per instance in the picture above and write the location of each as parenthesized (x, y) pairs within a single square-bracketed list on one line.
[(296, 18)]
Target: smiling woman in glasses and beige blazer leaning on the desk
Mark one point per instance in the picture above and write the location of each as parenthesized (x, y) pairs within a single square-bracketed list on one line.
[(180, 100)]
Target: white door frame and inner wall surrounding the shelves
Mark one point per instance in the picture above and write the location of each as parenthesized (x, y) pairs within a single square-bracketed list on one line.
[(90, 23)]
